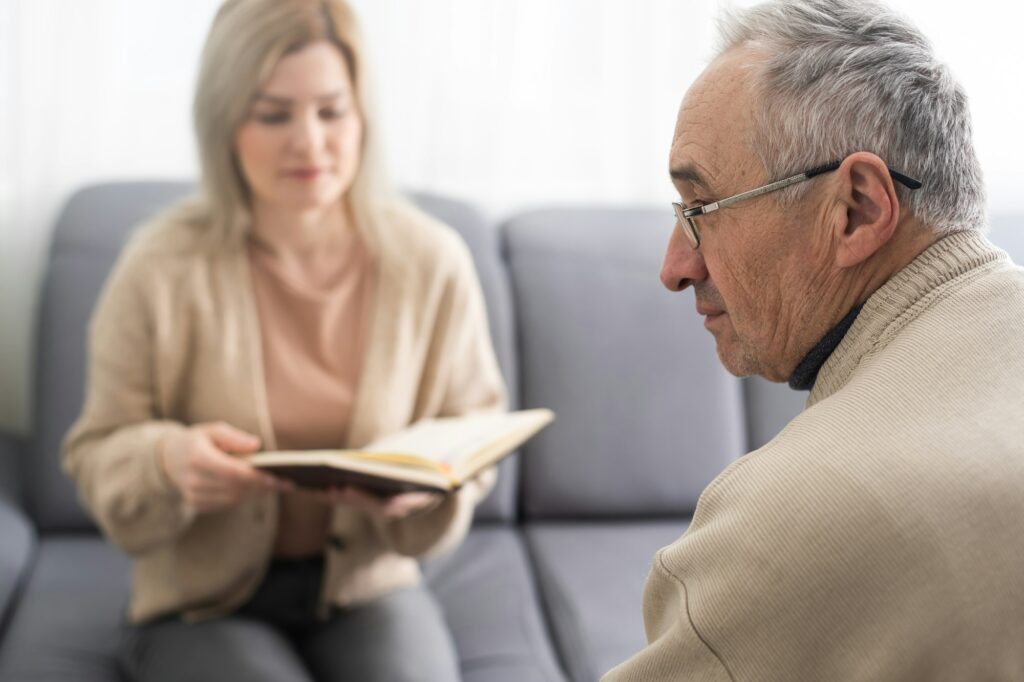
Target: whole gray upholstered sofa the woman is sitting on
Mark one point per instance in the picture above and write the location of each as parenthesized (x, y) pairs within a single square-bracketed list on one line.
[(548, 585)]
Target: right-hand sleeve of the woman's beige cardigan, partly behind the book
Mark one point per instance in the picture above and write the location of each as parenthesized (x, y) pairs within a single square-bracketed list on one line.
[(472, 381)]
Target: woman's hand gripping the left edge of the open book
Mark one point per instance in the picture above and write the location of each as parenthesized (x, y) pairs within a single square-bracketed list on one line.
[(200, 464)]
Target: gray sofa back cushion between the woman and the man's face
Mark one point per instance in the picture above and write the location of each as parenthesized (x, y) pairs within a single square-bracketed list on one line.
[(647, 416)]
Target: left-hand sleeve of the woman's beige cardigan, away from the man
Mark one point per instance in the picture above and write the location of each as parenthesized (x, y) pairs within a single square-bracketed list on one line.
[(111, 451)]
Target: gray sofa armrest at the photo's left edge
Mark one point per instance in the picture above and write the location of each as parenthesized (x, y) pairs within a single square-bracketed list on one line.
[(18, 534)]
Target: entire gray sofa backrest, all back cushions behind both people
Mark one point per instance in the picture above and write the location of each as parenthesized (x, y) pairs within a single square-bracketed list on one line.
[(646, 415)]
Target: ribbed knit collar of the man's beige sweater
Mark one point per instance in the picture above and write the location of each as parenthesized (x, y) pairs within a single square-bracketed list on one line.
[(900, 301)]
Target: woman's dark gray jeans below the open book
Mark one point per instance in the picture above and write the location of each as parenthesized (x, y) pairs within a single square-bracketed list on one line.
[(401, 637)]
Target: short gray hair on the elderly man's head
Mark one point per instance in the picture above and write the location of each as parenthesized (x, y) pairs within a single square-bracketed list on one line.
[(845, 76)]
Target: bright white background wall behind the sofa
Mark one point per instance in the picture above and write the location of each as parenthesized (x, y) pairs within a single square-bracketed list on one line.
[(505, 103)]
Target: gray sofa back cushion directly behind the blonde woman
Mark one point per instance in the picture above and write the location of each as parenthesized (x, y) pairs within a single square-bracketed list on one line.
[(89, 237)]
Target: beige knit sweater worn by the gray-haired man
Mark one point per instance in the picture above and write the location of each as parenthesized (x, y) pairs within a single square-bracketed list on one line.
[(881, 535)]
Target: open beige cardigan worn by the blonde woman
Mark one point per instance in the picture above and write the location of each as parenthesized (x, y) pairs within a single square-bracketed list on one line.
[(175, 340)]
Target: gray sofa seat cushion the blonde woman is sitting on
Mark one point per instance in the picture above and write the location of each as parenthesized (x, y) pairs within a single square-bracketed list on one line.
[(66, 625)]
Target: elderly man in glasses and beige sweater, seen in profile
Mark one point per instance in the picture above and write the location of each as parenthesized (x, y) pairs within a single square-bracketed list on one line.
[(831, 226)]
